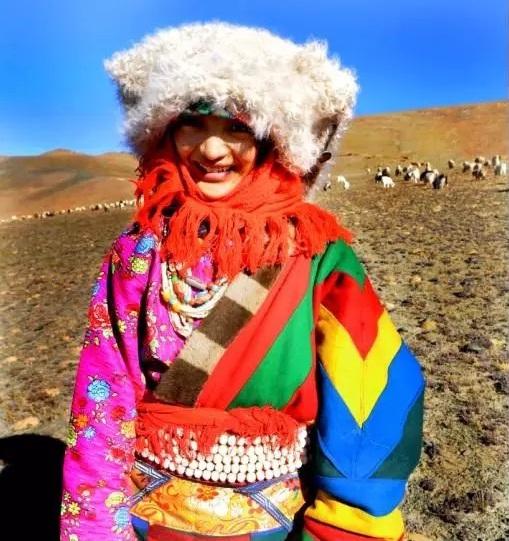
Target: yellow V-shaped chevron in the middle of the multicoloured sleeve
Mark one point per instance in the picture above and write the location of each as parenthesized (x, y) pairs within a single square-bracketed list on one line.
[(359, 381)]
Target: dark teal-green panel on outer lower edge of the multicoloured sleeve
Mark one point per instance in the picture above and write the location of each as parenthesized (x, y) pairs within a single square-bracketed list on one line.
[(405, 456)]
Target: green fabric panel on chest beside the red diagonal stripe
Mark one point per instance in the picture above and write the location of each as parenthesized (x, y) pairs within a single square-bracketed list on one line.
[(287, 362)]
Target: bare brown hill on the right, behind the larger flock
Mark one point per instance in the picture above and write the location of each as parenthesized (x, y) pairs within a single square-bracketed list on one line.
[(434, 135)]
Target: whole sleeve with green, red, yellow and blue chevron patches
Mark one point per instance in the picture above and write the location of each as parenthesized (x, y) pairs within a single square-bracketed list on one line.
[(369, 427)]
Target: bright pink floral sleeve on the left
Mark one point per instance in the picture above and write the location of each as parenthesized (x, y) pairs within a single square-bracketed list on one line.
[(108, 384)]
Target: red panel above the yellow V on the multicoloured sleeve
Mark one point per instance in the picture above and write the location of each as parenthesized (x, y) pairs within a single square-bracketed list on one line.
[(357, 309)]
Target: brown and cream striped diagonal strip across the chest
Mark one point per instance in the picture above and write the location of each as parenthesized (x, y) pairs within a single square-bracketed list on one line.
[(184, 378)]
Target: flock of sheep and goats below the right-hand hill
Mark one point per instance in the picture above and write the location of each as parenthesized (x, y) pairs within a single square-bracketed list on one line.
[(428, 175)]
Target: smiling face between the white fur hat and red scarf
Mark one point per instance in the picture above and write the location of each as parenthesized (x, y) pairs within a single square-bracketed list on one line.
[(218, 152)]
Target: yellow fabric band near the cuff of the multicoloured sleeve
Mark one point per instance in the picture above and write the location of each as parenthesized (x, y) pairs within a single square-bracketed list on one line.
[(337, 514)]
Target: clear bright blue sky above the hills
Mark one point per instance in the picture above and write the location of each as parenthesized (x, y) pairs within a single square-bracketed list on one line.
[(408, 54)]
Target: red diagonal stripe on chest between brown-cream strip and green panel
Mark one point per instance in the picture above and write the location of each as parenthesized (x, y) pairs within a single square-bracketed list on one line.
[(249, 347)]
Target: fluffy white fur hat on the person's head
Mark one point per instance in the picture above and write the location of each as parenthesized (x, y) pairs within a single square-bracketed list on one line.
[(292, 93)]
